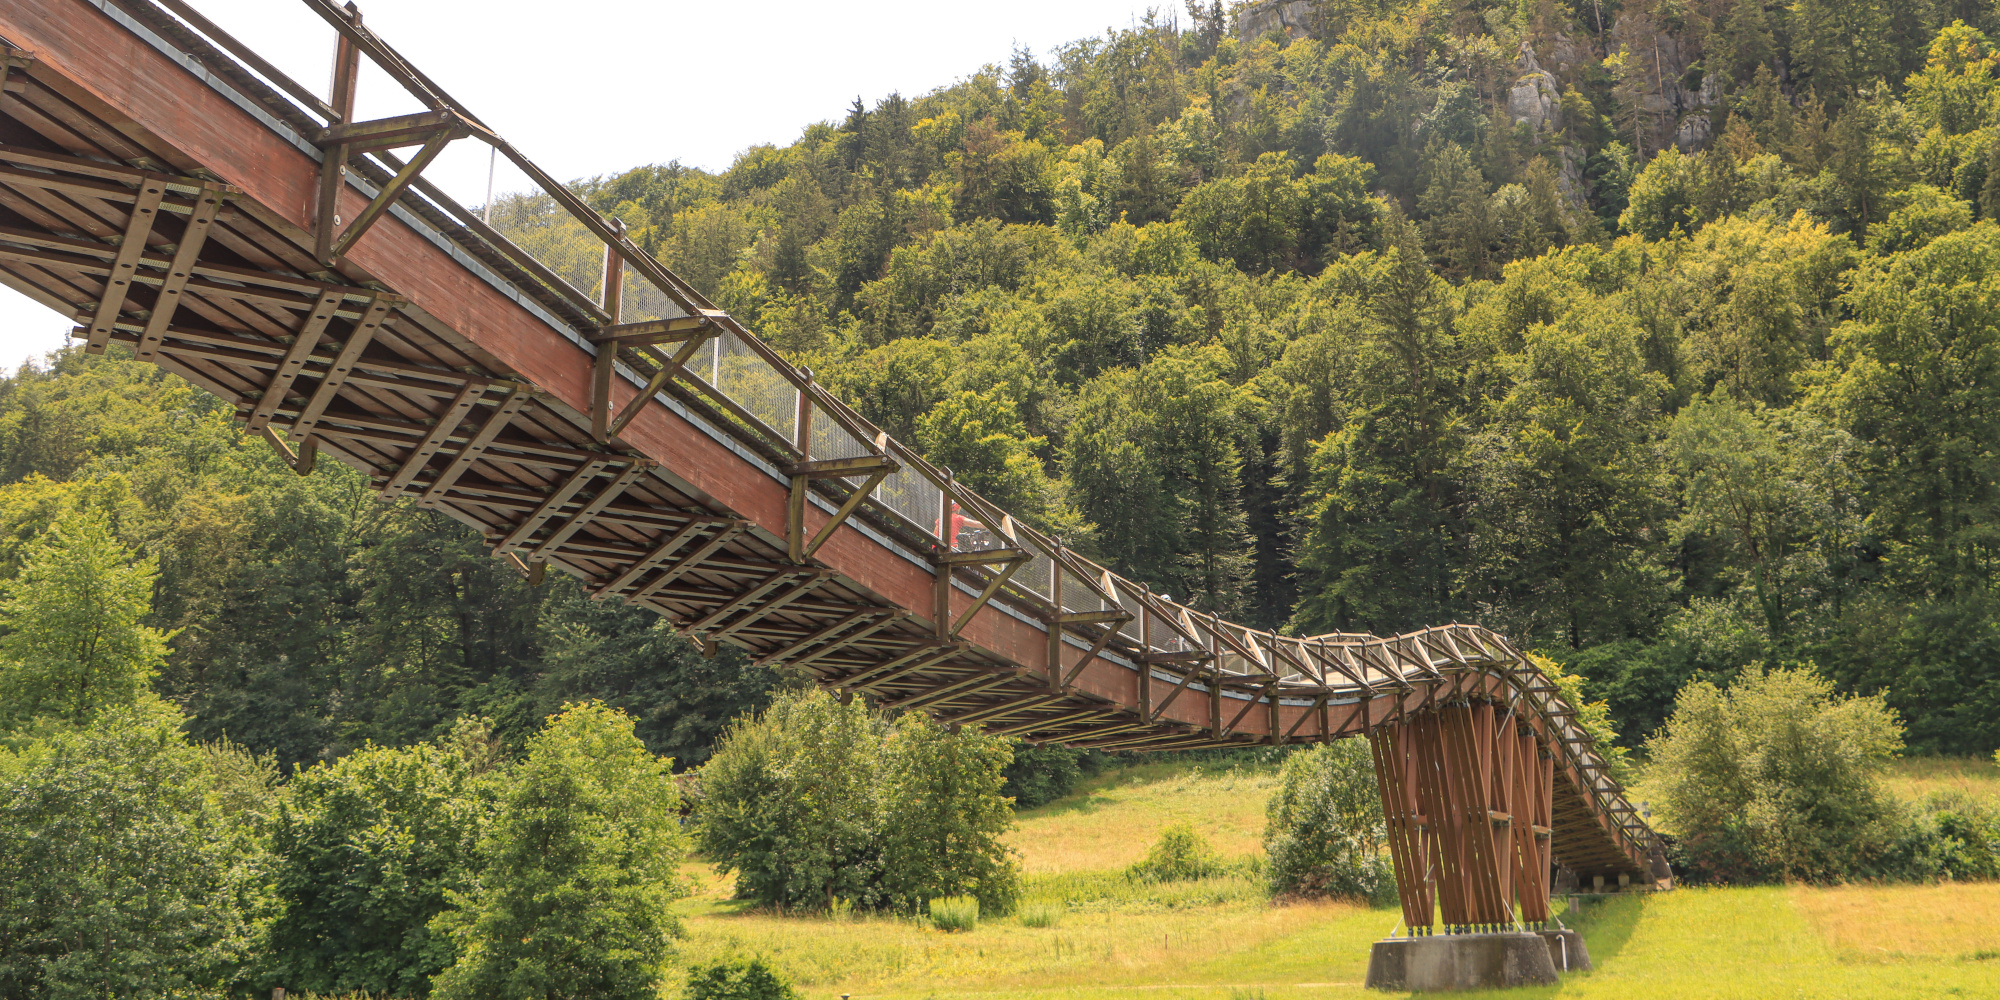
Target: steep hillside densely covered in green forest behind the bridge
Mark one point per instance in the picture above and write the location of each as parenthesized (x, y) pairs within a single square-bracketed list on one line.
[(1659, 337)]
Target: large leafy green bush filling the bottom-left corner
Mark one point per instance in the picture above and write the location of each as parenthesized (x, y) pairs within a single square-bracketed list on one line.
[(117, 875)]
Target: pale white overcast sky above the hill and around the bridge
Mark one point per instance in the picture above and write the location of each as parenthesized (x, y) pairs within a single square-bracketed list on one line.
[(591, 87)]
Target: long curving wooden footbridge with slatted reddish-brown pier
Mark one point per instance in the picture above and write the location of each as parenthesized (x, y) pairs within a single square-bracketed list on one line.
[(591, 413)]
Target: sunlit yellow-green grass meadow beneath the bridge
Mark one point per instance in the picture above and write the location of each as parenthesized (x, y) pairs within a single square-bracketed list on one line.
[(1223, 939)]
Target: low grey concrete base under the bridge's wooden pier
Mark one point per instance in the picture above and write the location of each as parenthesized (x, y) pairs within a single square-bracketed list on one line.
[(1473, 961)]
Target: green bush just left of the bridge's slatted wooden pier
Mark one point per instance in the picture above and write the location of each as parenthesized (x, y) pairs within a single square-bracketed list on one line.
[(1325, 829)]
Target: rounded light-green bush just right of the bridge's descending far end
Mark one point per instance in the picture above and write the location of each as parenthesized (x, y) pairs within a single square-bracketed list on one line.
[(1777, 777)]
